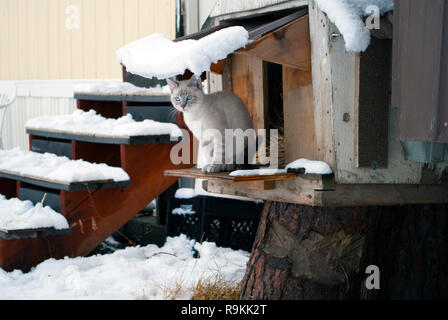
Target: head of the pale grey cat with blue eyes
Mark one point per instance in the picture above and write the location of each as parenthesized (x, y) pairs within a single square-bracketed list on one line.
[(185, 94)]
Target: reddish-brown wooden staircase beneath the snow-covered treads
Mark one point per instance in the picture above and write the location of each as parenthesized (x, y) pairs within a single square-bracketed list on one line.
[(96, 210)]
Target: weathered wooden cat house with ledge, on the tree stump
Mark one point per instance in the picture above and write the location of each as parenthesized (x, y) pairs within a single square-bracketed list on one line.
[(330, 105)]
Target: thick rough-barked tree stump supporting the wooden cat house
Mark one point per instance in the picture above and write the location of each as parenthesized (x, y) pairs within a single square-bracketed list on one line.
[(303, 252)]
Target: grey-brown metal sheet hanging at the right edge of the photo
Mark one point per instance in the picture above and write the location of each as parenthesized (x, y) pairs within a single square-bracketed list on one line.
[(420, 69)]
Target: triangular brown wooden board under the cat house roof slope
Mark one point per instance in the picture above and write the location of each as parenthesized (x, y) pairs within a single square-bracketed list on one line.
[(288, 45)]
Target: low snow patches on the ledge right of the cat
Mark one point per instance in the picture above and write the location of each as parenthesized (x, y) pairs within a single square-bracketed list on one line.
[(310, 166)]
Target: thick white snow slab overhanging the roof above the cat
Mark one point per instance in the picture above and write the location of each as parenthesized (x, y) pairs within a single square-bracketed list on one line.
[(157, 56)]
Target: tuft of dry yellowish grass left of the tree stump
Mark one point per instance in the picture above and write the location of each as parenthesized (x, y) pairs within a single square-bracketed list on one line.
[(216, 288)]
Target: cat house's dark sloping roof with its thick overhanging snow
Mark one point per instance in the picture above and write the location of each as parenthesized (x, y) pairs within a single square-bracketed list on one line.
[(156, 56)]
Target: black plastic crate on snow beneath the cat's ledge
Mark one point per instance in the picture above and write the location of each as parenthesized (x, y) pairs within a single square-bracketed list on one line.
[(227, 222)]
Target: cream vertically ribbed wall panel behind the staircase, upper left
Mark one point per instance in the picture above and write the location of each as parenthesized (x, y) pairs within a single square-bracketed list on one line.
[(75, 39)]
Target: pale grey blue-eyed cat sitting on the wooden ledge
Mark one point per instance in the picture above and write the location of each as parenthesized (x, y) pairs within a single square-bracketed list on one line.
[(214, 113)]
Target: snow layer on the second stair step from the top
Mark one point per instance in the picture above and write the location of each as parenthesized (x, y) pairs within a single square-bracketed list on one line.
[(91, 123)]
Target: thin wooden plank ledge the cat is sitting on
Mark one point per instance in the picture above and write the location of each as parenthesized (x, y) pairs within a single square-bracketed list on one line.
[(225, 177)]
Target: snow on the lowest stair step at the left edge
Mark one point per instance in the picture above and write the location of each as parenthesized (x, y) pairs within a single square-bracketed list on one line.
[(22, 215)]
